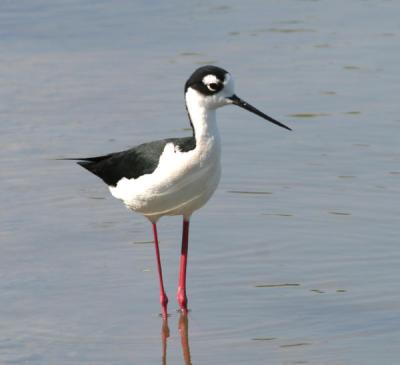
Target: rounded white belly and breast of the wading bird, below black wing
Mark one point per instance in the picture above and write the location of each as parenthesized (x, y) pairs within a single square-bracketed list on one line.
[(182, 183)]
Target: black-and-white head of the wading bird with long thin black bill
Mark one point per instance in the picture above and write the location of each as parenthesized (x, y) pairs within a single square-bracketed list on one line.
[(212, 87)]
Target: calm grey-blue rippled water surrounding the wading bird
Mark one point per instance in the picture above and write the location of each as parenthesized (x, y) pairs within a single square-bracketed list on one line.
[(295, 260)]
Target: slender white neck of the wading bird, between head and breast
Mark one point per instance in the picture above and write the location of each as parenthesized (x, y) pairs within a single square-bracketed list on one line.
[(203, 118)]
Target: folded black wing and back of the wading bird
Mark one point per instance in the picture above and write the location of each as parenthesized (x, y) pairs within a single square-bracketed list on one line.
[(134, 162)]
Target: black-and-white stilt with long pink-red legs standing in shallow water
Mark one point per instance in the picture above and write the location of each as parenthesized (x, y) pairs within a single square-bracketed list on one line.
[(175, 176)]
